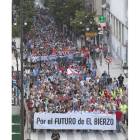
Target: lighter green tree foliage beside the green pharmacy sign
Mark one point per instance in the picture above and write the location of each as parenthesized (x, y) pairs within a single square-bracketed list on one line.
[(81, 29)]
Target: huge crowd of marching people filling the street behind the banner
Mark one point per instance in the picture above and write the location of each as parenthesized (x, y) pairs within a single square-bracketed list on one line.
[(49, 89)]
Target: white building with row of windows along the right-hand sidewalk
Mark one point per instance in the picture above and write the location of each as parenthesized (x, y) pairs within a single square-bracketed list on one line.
[(116, 30)]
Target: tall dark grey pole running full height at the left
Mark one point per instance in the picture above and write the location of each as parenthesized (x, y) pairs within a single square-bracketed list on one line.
[(21, 50)]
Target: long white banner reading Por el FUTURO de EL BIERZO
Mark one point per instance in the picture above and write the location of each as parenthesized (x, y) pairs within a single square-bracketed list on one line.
[(74, 121)]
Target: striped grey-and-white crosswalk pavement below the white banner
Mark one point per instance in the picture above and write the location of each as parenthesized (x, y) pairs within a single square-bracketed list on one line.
[(78, 136)]
